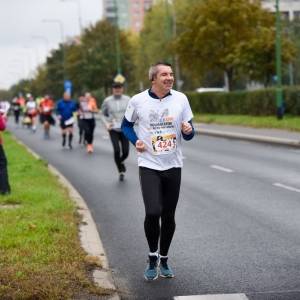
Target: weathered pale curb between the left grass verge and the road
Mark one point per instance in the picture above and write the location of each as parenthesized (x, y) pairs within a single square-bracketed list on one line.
[(89, 235)]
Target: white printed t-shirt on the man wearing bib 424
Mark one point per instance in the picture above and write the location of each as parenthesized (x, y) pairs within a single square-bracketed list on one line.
[(159, 123)]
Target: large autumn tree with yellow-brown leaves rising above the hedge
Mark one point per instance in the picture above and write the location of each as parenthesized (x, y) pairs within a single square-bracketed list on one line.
[(215, 31)]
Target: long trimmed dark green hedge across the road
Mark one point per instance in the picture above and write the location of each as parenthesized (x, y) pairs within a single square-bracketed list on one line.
[(256, 103)]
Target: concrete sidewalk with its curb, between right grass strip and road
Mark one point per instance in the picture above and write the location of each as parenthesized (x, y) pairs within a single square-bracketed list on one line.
[(275, 136)]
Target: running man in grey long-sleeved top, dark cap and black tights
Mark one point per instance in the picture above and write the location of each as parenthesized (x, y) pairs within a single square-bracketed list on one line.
[(112, 112)]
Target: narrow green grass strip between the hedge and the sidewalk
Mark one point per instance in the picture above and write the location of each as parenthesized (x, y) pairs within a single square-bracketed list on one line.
[(290, 123)]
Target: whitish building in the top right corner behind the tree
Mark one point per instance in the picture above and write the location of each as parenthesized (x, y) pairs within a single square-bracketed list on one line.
[(290, 8)]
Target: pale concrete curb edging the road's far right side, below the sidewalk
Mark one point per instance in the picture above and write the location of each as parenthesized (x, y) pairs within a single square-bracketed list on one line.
[(250, 137)]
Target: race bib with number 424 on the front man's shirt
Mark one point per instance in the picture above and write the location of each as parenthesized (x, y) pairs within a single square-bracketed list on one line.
[(163, 144)]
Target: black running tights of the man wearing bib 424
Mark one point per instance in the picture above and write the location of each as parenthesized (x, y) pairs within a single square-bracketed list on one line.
[(160, 191)]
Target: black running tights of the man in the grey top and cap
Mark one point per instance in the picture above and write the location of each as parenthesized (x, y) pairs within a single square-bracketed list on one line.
[(117, 138)]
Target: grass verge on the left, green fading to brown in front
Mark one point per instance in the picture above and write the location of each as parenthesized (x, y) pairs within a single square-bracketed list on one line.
[(40, 252)]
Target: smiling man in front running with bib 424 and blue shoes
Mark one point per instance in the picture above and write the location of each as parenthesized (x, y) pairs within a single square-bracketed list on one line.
[(164, 116)]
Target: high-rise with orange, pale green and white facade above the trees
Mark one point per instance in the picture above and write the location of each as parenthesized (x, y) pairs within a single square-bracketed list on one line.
[(130, 13)]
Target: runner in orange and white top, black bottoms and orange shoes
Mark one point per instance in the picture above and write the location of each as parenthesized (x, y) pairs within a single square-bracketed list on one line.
[(88, 109)]
